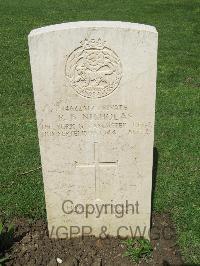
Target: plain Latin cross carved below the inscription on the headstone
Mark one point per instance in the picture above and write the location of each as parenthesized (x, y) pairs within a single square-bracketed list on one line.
[(96, 164)]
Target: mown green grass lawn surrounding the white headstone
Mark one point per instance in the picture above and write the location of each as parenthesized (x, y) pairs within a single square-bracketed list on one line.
[(177, 109)]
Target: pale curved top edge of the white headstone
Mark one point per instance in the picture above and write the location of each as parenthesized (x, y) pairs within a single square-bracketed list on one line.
[(96, 24)]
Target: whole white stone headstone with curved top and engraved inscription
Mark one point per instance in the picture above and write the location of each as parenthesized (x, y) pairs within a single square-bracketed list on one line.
[(94, 88)]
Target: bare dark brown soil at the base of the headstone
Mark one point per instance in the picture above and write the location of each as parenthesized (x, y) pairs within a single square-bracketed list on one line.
[(32, 246)]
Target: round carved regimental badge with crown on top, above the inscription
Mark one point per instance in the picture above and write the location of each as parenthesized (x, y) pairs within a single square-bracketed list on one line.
[(93, 70)]
